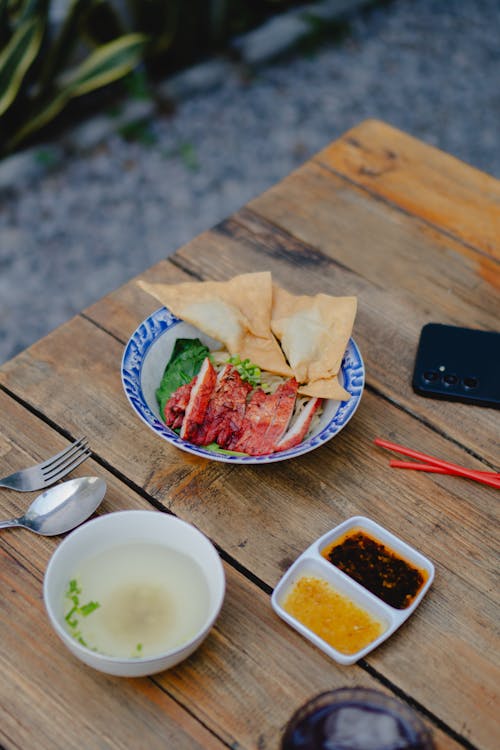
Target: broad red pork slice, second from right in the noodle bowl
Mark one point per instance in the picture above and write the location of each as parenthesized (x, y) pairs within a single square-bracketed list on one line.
[(266, 419)]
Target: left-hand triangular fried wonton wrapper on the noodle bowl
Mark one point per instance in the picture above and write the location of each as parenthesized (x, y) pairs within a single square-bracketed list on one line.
[(236, 312)]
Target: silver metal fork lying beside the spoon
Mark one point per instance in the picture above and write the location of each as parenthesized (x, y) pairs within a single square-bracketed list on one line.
[(48, 472)]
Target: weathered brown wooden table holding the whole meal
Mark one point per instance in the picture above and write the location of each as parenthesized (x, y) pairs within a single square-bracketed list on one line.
[(414, 234)]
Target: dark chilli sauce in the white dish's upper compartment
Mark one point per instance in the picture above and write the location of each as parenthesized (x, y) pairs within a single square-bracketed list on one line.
[(376, 567)]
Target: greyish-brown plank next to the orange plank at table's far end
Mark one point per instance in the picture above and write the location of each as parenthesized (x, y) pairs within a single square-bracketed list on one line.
[(378, 242)]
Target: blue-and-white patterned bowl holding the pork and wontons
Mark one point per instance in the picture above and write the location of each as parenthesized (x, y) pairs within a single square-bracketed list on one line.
[(148, 351)]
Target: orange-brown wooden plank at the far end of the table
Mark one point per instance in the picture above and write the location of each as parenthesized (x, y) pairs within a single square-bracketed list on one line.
[(422, 180)]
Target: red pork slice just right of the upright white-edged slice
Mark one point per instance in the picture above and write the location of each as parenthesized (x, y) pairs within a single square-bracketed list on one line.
[(226, 409)]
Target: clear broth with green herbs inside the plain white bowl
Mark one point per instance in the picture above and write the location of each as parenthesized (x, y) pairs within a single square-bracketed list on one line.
[(136, 600)]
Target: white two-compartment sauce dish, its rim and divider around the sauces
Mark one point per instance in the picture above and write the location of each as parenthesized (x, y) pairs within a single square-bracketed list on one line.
[(312, 563)]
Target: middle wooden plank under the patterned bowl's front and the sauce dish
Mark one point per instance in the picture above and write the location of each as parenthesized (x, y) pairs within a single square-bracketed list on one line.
[(247, 510)]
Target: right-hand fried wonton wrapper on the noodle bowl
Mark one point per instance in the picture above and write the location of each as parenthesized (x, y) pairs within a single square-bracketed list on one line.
[(313, 331)]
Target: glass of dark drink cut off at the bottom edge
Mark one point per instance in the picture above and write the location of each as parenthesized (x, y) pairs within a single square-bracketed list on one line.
[(356, 719)]
